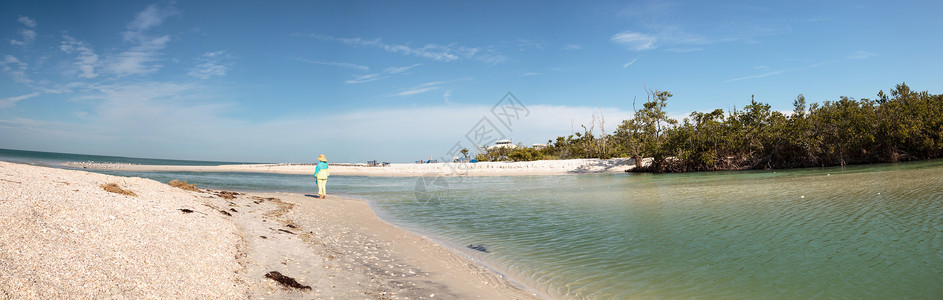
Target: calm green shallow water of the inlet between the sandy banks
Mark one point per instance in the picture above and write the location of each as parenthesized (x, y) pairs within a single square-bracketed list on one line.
[(872, 232)]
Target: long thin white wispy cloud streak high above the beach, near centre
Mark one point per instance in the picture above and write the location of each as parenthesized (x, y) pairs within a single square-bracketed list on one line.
[(437, 52)]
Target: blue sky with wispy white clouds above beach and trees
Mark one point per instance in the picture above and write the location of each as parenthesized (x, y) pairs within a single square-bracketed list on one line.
[(284, 81)]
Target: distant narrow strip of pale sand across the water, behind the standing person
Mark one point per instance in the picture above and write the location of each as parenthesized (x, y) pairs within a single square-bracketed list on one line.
[(541, 167)]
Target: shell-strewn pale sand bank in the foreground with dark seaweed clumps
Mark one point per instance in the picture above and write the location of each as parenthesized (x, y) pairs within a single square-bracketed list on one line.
[(65, 237)]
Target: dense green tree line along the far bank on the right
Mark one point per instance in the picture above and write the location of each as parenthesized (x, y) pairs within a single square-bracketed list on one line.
[(905, 125)]
